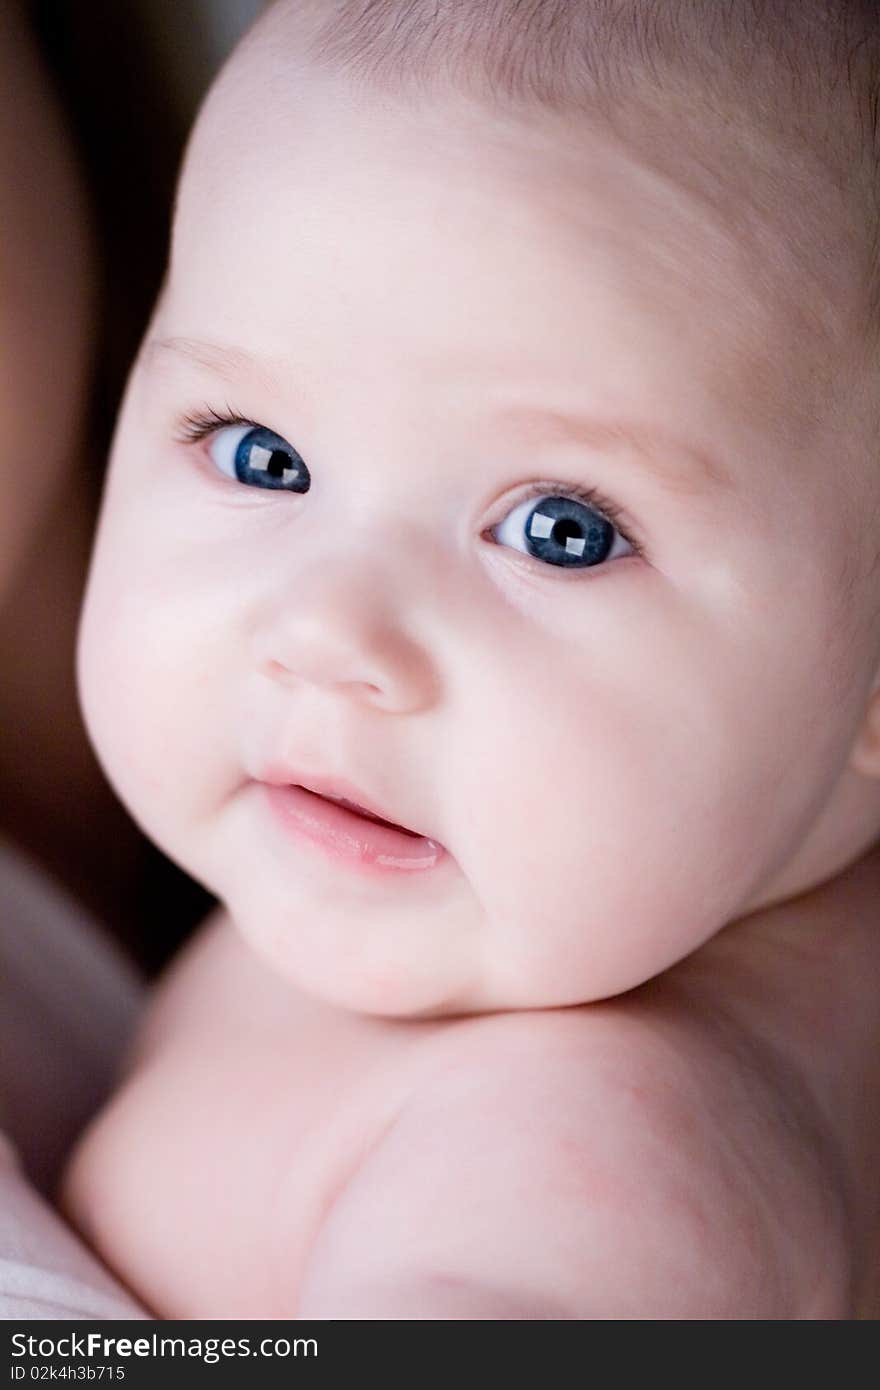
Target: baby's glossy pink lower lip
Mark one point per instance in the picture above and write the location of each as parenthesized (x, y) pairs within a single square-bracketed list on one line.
[(344, 835)]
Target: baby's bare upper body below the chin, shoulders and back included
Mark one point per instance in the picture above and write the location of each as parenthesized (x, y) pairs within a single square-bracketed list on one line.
[(275, 1129)]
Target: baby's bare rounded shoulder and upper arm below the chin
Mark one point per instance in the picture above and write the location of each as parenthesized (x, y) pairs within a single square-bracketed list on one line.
[(575, 1178)]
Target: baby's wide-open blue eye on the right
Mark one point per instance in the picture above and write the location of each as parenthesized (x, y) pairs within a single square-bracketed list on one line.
[(561, 530)]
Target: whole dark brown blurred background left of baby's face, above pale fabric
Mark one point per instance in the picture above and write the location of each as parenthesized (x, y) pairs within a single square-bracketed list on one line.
[(97, 99)]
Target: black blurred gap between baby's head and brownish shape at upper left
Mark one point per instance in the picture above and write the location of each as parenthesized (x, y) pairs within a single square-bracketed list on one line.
[(131, 77)]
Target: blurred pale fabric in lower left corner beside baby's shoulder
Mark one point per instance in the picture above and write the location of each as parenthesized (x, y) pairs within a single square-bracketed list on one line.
[(69, 1001)]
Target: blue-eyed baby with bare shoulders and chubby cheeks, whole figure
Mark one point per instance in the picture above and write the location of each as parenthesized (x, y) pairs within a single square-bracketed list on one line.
[(486, 608)]
